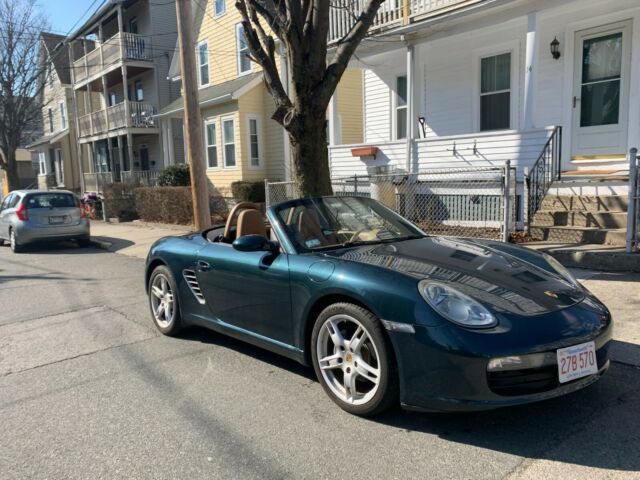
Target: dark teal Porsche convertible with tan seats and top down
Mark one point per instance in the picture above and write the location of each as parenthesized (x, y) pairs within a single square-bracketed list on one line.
[(384, 312)]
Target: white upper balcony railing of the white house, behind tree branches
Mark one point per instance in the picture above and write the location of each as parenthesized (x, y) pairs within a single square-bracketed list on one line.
[(392, 13)]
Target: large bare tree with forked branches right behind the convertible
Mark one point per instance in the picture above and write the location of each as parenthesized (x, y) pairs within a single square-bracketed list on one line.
[(302, 26)]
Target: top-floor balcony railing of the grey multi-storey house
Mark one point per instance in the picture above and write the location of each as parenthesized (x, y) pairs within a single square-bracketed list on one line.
[(110, 53)]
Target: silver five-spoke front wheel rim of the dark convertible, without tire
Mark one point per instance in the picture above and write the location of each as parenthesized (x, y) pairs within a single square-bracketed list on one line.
[(348, 359)]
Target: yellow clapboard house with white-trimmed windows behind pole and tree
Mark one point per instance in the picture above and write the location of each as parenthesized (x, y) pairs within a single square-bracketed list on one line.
[(242, 142)]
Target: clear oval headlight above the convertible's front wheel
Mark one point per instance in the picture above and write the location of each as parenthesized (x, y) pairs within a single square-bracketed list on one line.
[(455, 306)]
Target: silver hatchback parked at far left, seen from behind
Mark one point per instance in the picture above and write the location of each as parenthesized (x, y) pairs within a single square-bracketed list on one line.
[(28, 216)]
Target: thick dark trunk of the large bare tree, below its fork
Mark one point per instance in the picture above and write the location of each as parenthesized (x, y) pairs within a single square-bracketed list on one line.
[(310, 156)]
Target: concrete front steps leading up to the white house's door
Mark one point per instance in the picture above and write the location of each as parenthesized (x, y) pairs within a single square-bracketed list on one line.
[(581, 219)]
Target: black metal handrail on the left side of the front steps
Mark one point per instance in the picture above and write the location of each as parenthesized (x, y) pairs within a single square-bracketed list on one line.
[(545, 170)]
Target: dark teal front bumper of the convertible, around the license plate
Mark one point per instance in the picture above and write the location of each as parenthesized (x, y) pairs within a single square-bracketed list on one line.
[(444, 368)]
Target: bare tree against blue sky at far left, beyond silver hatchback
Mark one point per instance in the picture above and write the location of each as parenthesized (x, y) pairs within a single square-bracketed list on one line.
[(20, 79)]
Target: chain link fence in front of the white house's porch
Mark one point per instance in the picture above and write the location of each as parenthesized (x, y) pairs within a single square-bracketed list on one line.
[(462, 202)]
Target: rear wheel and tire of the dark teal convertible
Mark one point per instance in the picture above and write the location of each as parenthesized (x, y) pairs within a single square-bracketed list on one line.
[(167, 319)]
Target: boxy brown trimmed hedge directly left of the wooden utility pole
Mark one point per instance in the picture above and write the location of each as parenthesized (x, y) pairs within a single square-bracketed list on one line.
[(164, 204)]
